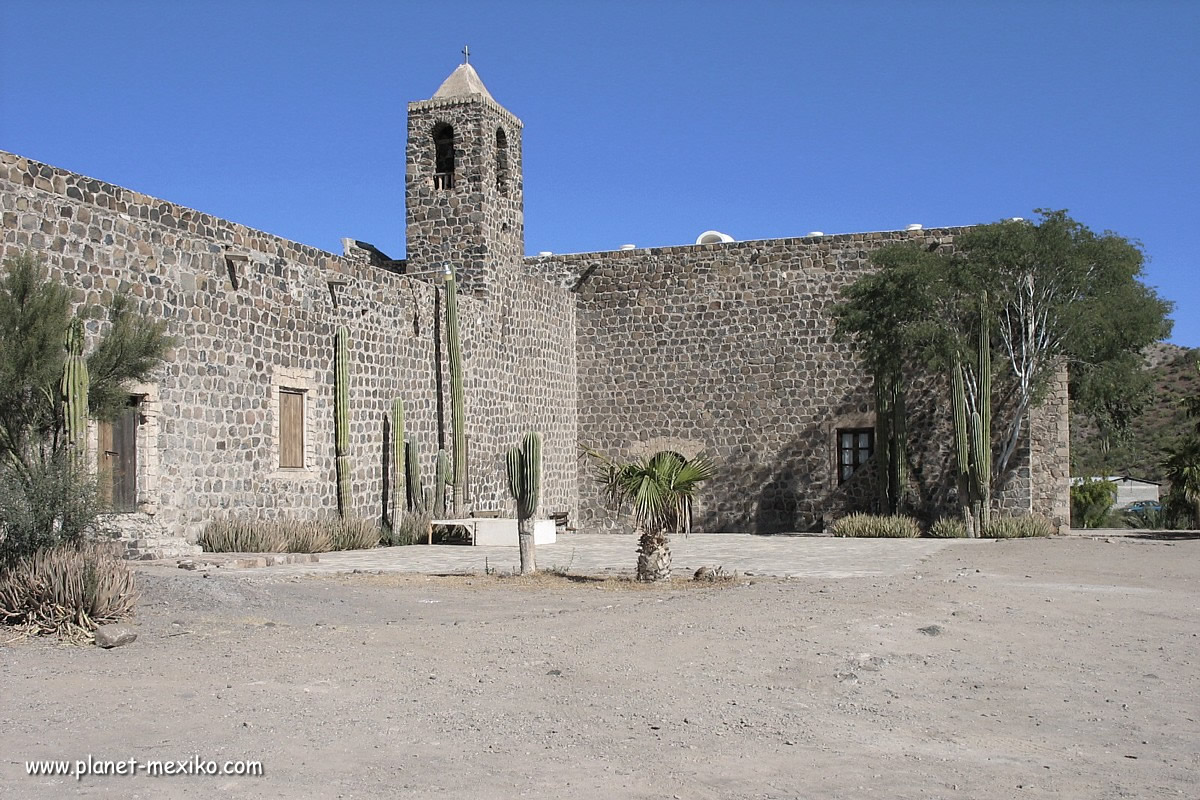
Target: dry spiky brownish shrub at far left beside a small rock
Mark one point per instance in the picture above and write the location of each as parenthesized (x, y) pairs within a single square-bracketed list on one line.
[(69, 590)]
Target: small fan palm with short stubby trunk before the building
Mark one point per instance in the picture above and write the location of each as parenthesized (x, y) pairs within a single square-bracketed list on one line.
[(659, 491)]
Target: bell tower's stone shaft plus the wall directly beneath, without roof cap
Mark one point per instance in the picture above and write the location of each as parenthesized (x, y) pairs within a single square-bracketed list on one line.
[(525, 341)]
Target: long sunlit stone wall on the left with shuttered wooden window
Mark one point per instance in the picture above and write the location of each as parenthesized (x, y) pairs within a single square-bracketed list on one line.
[(269, 323)]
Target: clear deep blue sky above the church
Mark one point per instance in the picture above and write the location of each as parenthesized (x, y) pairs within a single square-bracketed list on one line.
[(646, 123)]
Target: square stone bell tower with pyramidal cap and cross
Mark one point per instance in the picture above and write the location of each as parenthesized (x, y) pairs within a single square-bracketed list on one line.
[(464, 193)]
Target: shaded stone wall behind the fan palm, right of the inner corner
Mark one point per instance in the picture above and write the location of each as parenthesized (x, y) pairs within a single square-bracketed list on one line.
[(729, 350)]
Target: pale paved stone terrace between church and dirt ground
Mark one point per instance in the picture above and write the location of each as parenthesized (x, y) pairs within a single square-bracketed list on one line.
[(604, 555)]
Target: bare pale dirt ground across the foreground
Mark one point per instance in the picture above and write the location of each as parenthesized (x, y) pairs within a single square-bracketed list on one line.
[(1063, 669)]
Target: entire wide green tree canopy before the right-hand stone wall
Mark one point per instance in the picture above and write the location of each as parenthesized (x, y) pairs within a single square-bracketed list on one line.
[(1057, 293)]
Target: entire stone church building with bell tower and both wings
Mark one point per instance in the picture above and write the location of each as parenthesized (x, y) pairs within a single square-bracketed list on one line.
[(724, 347)]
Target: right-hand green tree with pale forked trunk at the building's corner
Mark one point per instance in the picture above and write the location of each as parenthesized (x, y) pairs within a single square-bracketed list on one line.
[(1066, 293)]
